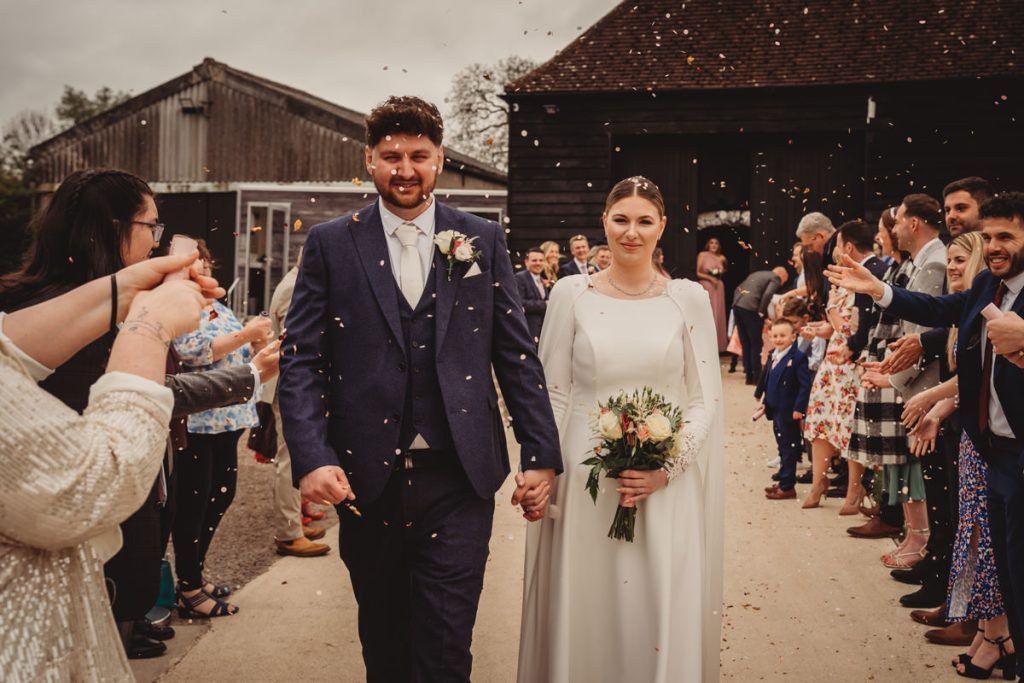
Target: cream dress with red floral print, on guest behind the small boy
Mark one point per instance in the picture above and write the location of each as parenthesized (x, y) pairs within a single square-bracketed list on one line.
[(834, 394)]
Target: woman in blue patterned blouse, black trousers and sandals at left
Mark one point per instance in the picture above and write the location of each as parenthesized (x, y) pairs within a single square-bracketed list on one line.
[(208, 469)]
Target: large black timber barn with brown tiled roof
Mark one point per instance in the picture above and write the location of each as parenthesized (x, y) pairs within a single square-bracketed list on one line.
[(750, 114)]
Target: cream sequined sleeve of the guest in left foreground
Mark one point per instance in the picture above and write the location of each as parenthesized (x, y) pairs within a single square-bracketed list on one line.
[(66, 478)]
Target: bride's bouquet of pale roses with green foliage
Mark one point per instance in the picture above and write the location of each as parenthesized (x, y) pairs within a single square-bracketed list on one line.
[(638, 432)]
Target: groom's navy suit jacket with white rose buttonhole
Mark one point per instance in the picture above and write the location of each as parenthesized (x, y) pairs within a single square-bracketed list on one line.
[(345, 367)]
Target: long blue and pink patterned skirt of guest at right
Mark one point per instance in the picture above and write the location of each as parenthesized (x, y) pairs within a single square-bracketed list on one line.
[(974, 587)]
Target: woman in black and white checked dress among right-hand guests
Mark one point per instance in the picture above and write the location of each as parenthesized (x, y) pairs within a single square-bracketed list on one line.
[(878, 439)]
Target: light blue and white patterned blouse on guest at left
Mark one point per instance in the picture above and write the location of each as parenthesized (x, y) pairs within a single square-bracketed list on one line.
[(196, 350)]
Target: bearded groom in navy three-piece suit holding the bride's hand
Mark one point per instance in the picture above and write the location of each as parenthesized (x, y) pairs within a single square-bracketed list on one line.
[(389, 404)]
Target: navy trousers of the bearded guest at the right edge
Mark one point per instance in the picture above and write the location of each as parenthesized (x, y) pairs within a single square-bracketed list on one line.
[(1006, 518)]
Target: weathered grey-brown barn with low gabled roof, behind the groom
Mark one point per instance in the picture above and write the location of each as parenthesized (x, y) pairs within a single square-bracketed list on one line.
[(247, 164)]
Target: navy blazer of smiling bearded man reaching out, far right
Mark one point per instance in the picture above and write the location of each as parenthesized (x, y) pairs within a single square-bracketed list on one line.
[(964, 311)]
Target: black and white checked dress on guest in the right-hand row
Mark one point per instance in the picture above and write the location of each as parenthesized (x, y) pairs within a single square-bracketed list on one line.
[(879, 438)]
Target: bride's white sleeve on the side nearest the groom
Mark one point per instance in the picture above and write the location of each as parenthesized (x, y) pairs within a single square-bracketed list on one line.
[(557, 347)]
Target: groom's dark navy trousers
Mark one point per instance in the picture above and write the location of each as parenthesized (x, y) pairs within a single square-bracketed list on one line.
[(416, 559)]
